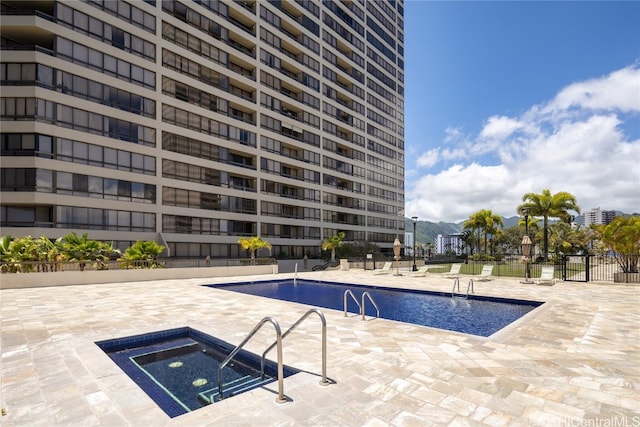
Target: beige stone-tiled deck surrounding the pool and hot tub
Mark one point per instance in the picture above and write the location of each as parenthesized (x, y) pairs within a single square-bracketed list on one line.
[(573, 361)]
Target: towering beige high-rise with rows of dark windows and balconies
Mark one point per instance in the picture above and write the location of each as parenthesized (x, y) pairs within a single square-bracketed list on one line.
[(195, 123)]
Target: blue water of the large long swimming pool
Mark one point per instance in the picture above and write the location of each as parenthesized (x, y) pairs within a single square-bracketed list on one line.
[(474, 315)]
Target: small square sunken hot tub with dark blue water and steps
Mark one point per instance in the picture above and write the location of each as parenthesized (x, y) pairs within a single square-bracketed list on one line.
[(178, 368)]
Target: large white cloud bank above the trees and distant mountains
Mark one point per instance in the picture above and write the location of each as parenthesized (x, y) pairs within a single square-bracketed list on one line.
[(573, 143)]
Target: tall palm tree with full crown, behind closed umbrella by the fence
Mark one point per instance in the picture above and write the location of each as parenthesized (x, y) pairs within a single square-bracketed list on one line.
[(547, 206)]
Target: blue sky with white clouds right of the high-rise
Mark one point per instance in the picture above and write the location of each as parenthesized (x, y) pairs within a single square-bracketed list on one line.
[(504, 98)]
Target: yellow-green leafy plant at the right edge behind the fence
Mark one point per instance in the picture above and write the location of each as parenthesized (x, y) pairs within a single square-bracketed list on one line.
[(622, 237)]
